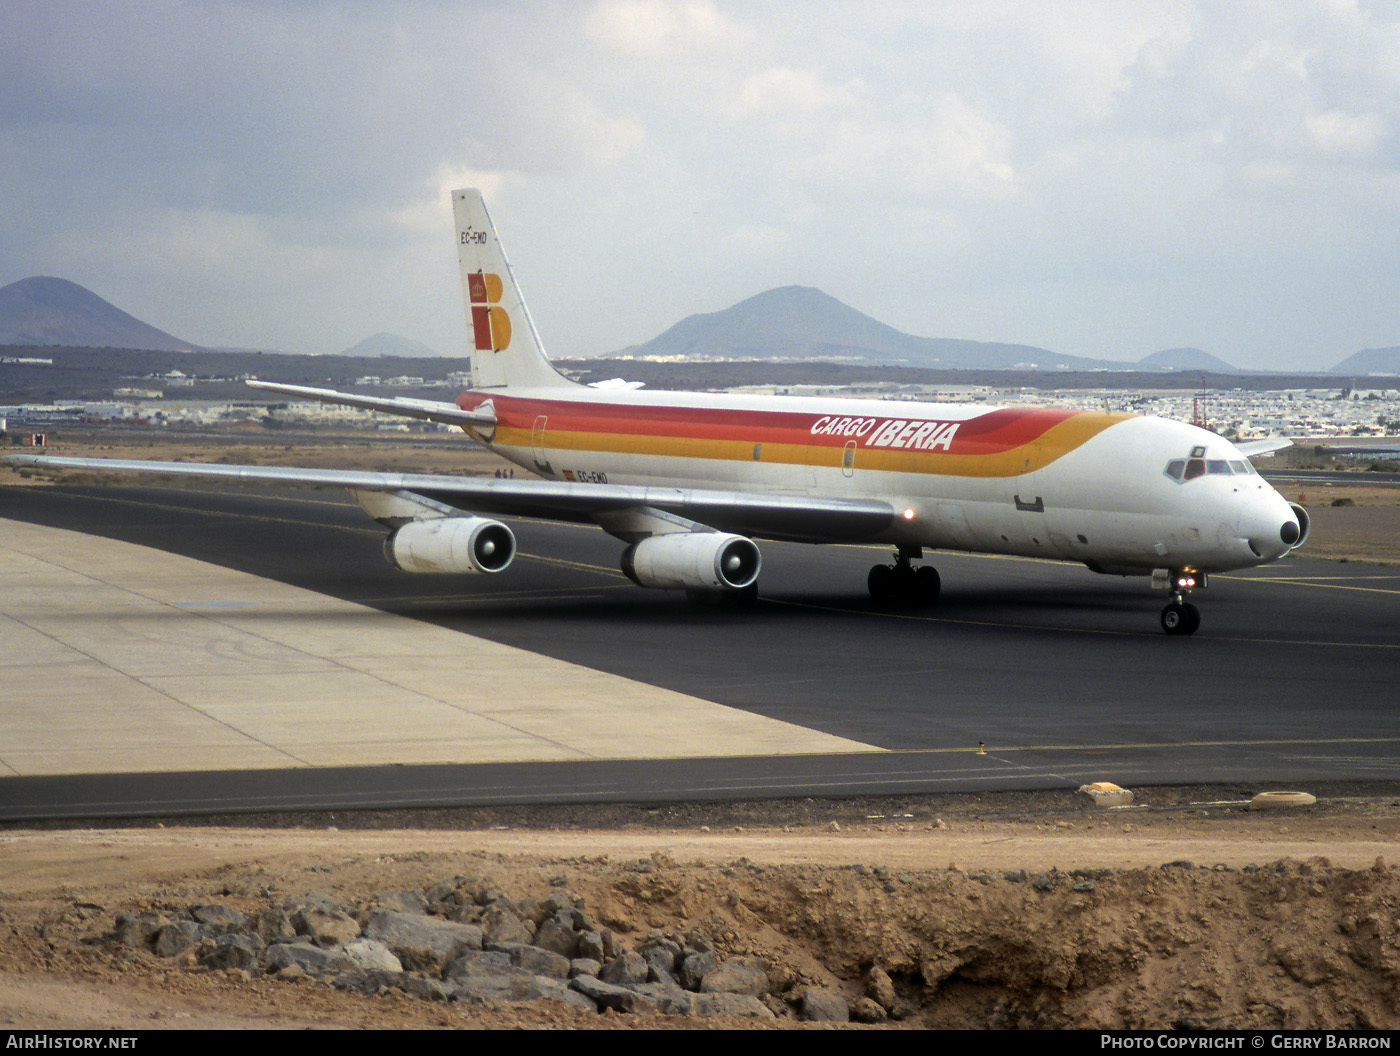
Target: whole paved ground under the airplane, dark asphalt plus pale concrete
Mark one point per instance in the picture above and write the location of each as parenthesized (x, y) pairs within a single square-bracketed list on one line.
[(1028, 674)]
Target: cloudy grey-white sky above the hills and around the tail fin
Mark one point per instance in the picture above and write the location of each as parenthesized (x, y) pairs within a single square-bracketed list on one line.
[(1100, 179)]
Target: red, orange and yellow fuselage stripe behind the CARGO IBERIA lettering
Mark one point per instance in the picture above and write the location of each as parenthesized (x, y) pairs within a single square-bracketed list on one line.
[(999, 443)]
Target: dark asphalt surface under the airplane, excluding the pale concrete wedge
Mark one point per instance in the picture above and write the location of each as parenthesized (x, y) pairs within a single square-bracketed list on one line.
[(1063, 676)]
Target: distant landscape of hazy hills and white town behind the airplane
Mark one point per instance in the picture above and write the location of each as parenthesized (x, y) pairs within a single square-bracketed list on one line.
[(68, 356)]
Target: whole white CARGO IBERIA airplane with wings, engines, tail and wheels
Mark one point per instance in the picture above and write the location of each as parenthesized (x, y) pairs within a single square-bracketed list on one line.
[(688, 481)]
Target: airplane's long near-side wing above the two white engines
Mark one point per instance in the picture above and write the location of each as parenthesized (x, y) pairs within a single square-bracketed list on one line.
[(796, 519)]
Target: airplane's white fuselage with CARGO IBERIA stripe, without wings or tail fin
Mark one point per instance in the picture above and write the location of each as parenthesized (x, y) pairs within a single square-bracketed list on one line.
[(1079, 487)]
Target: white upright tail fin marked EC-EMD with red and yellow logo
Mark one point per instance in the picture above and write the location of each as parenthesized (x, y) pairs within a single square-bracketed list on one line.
[(506, 349)]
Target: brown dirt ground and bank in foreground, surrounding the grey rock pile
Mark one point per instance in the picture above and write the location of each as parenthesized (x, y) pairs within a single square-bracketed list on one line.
[(1028, 911)]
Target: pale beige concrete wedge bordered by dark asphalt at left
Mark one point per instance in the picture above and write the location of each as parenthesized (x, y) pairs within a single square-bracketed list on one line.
[(117, 658)]
